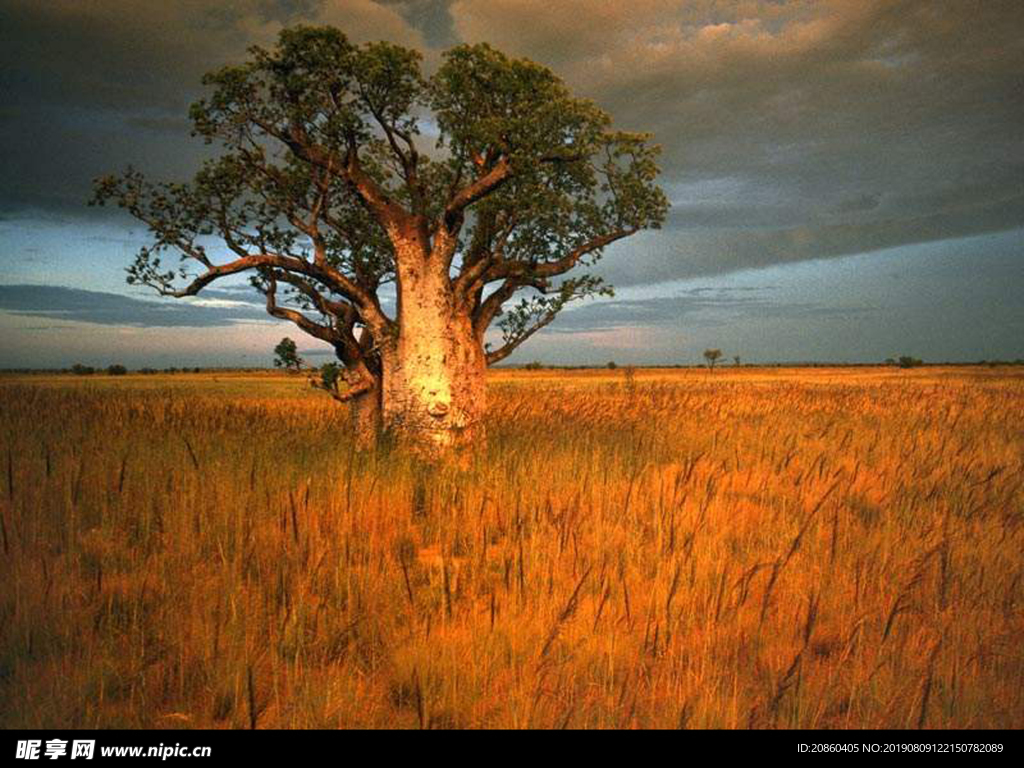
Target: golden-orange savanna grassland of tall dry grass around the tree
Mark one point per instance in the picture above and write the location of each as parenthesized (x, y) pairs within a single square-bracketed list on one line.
[(821, 548)]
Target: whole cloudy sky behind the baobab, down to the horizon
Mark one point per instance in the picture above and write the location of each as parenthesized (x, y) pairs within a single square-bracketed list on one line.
[(846, 177)]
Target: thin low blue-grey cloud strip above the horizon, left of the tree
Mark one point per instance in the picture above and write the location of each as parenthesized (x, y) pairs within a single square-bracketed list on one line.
[(115, 310)]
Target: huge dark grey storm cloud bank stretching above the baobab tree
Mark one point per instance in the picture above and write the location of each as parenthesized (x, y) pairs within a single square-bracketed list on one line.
[(791, 131)]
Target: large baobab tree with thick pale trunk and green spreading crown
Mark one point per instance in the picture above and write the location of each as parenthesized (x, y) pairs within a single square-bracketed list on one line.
[(326, 196)]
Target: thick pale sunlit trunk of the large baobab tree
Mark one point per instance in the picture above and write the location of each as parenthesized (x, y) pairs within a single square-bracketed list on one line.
[(434, 390)]
